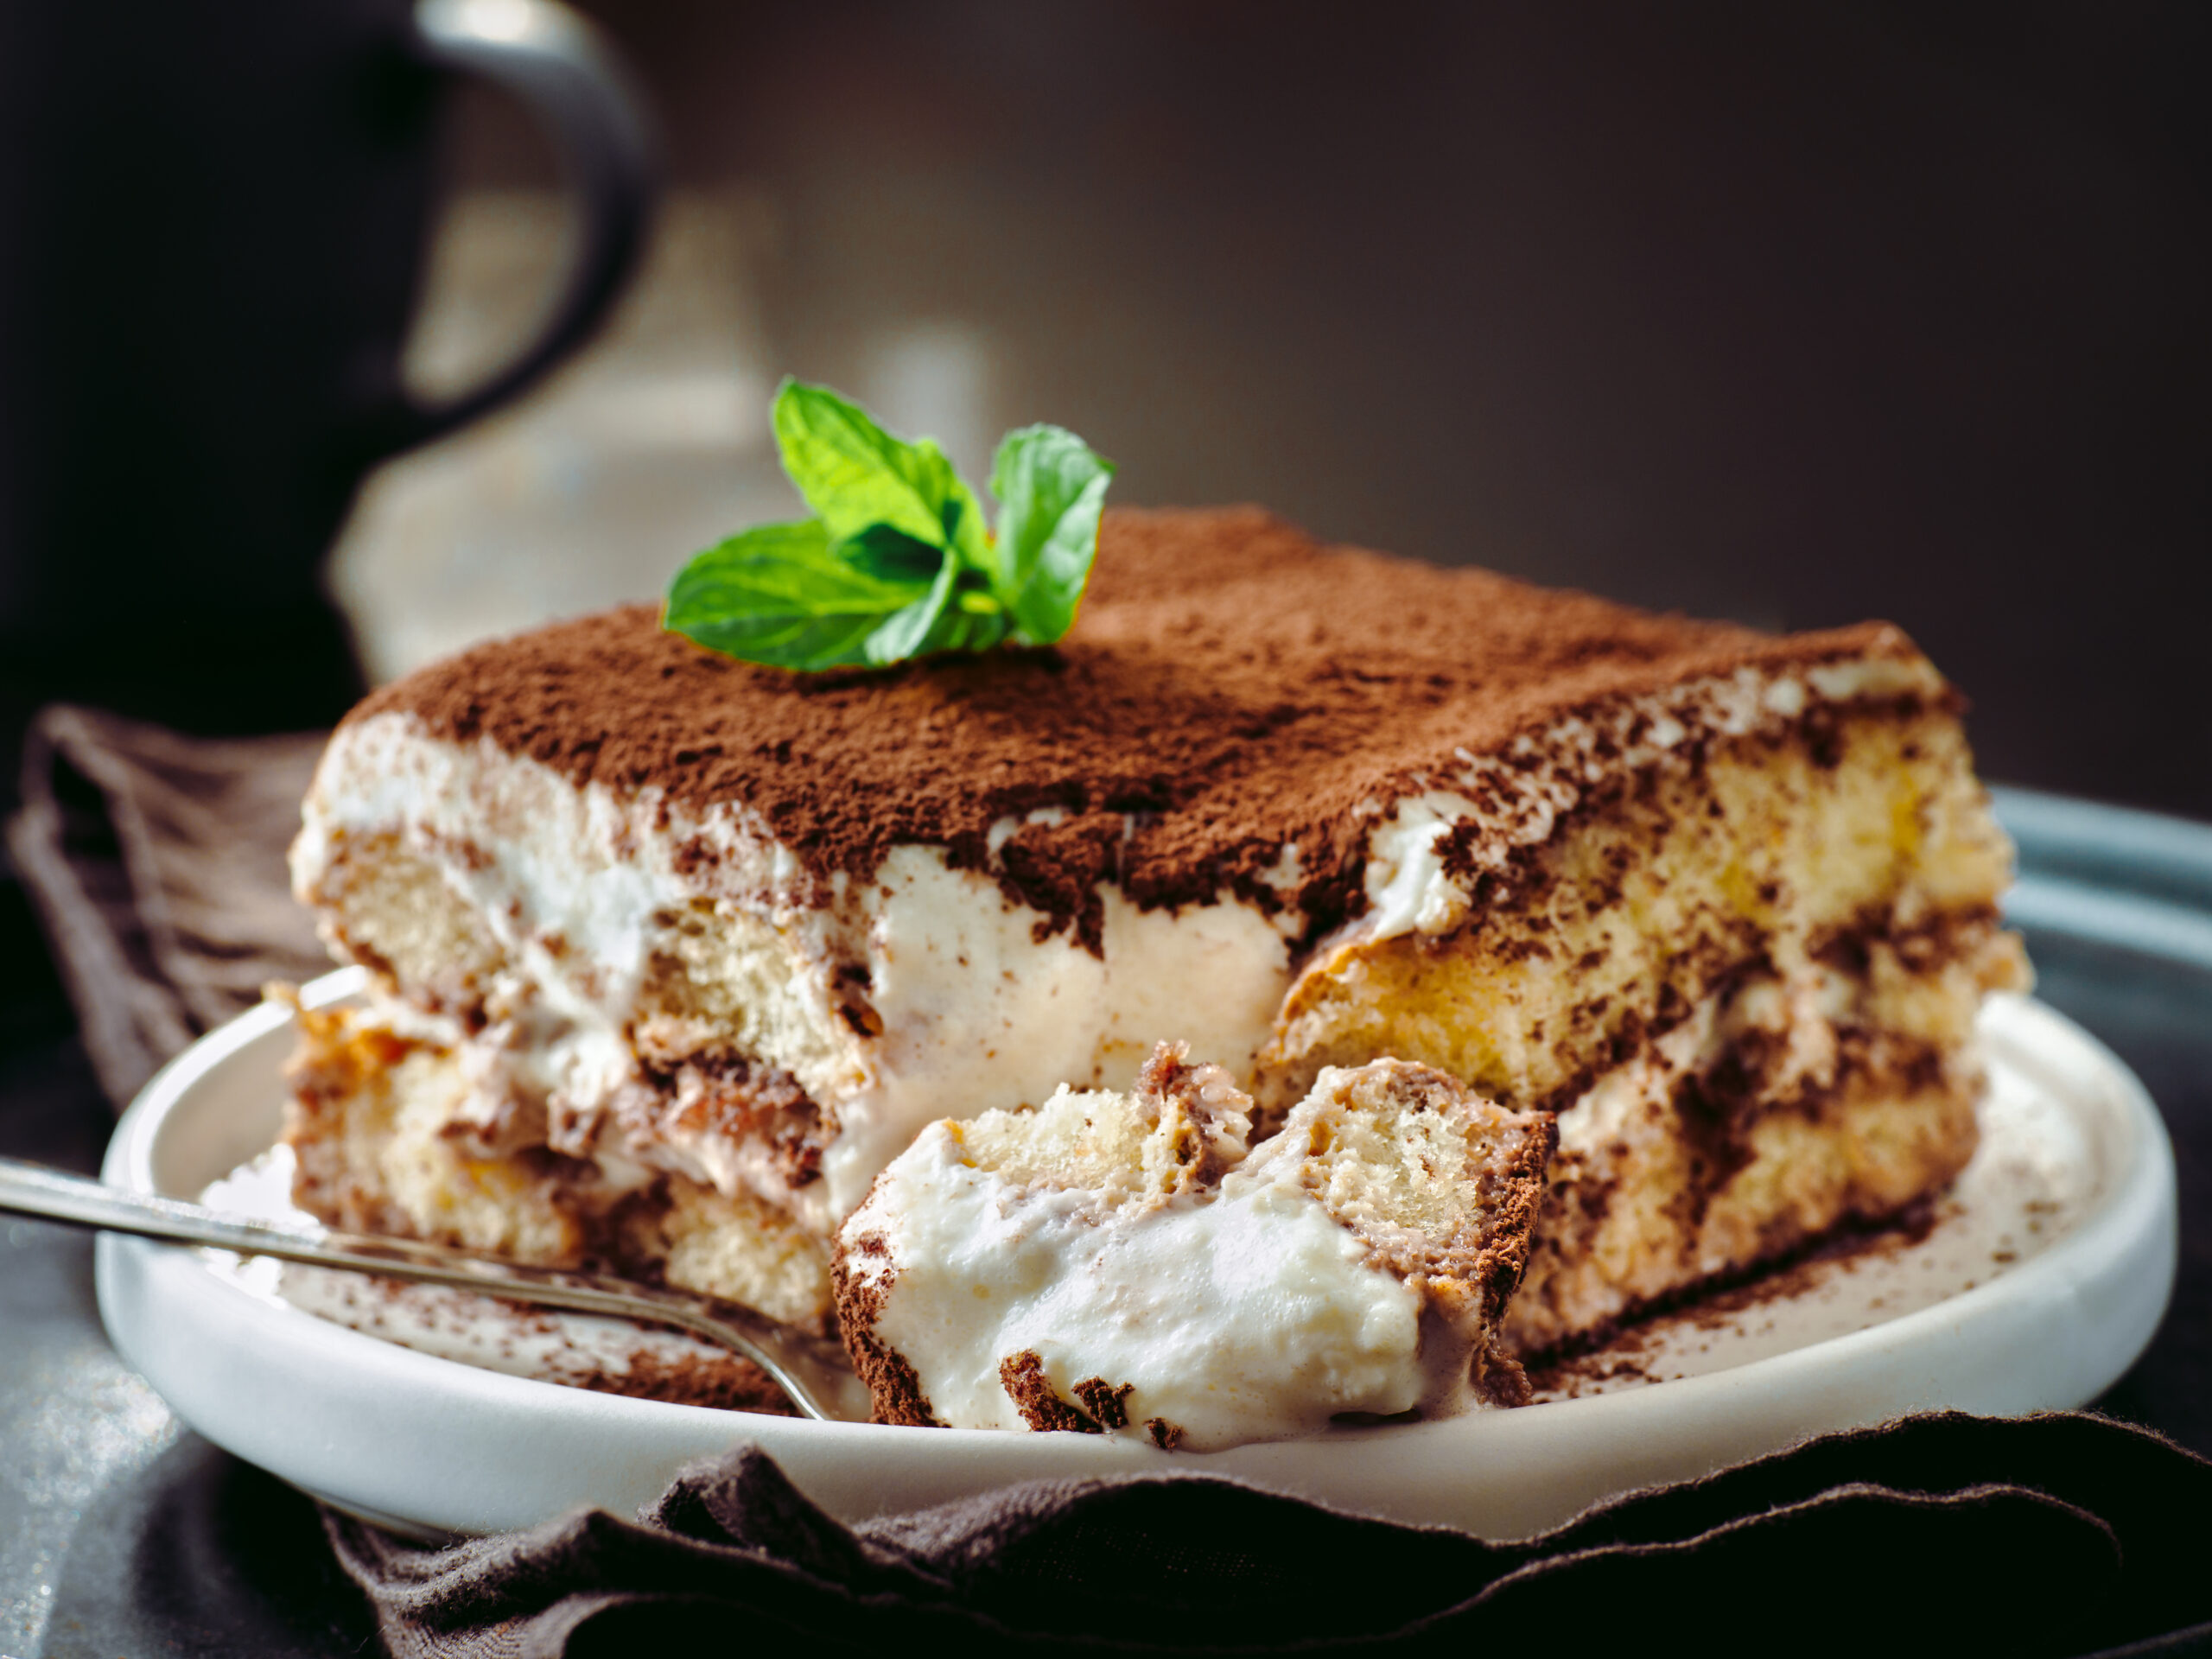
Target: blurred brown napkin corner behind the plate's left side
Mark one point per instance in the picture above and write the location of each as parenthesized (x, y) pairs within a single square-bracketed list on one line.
[(158, 870)]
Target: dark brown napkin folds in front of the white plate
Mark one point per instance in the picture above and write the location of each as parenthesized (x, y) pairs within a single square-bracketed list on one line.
[(1932, 1536)]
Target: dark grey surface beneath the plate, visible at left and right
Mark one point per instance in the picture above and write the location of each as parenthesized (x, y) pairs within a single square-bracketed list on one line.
[(125, 1534)]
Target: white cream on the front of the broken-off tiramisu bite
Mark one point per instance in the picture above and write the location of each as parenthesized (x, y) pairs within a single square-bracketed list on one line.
[(1246, 1315)]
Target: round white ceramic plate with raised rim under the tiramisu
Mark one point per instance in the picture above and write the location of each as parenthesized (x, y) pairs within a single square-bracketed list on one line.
[(432, 1446)]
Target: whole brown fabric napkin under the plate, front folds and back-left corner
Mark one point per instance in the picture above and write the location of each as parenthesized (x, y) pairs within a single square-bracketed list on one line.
[(158, 868)]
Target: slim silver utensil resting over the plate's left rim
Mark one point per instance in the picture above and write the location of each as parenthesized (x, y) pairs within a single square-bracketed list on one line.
[(811, 1370)]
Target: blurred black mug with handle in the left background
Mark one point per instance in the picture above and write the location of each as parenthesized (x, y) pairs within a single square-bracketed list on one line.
[(213, 222)]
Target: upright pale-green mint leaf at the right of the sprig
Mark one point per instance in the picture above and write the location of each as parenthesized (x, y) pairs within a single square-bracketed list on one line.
[(1052, 490)]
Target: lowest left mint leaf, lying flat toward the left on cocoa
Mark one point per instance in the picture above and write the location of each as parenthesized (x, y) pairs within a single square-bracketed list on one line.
[(780, 594)]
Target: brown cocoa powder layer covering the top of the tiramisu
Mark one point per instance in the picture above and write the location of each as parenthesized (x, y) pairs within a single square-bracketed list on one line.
[(1229, 689)]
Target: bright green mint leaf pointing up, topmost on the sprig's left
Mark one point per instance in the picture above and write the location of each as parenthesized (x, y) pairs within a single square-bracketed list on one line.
[(857, 477)]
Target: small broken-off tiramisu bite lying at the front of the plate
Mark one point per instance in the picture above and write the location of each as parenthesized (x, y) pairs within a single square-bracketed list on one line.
[(1120, 1264)]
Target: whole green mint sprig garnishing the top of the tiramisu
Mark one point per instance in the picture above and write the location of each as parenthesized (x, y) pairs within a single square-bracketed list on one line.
[(897, 561)]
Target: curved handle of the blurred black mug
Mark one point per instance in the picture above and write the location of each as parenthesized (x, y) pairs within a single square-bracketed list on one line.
[(559, 65)]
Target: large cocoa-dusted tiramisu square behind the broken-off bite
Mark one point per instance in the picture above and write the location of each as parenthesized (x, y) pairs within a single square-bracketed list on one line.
[(674, 954)]
